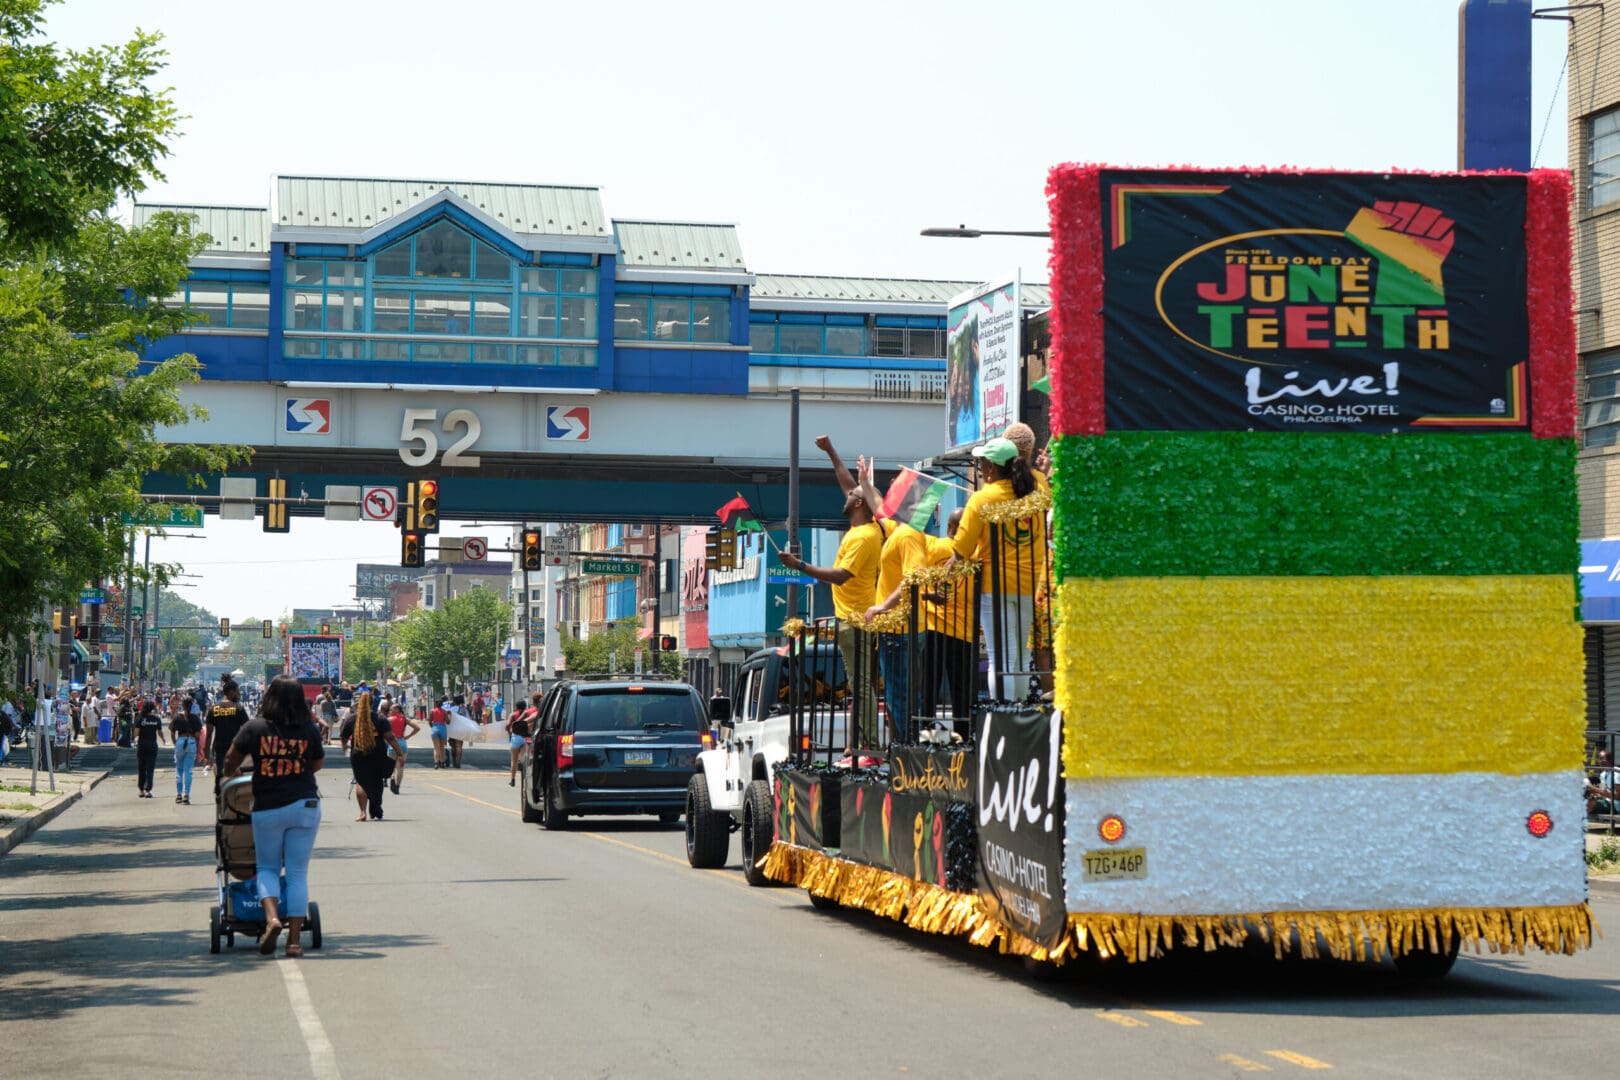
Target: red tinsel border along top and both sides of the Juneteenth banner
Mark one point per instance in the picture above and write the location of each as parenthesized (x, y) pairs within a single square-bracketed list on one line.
[(1075, 203)]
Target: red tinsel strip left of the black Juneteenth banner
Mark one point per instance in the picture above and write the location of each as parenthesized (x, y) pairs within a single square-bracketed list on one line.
[(1075, 203)]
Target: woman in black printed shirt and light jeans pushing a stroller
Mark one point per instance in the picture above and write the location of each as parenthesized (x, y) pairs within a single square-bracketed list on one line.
[(286, 746)]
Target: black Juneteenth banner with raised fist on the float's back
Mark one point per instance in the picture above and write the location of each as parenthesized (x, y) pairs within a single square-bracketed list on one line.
[(1323, 302)]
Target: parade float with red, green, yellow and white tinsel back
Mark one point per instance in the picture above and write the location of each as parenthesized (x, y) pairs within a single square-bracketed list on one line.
[(1319, 676)]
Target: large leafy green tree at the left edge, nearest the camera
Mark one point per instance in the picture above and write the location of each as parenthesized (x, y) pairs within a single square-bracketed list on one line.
[(80, 299)]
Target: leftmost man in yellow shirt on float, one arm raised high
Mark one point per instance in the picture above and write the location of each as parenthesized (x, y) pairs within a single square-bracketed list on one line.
[(855, 580)]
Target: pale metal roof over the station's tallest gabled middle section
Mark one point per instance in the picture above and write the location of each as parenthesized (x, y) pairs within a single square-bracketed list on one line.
[(356, 203)]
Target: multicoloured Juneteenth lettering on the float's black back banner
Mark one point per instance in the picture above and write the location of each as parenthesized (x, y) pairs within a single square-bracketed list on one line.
[(1311, 302)]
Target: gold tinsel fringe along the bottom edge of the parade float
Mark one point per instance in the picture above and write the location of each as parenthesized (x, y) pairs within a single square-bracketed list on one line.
[(1347, 935)]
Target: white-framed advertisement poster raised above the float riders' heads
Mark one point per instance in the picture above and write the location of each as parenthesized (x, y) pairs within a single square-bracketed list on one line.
[(983, 364)]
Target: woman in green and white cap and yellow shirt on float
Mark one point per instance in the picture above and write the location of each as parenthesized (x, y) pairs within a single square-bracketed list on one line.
[(1015, 564)]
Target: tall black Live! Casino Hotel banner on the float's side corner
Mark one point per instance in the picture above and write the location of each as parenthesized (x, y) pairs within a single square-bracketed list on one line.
[(1021, 797)]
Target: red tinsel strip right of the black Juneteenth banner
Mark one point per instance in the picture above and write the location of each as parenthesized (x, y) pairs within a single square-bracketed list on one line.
[(1551, 304)]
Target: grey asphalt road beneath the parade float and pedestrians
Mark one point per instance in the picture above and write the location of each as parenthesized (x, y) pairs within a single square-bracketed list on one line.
[(463, 943)]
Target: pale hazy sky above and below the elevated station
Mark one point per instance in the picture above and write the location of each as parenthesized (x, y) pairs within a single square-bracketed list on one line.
[(829, 134)]
